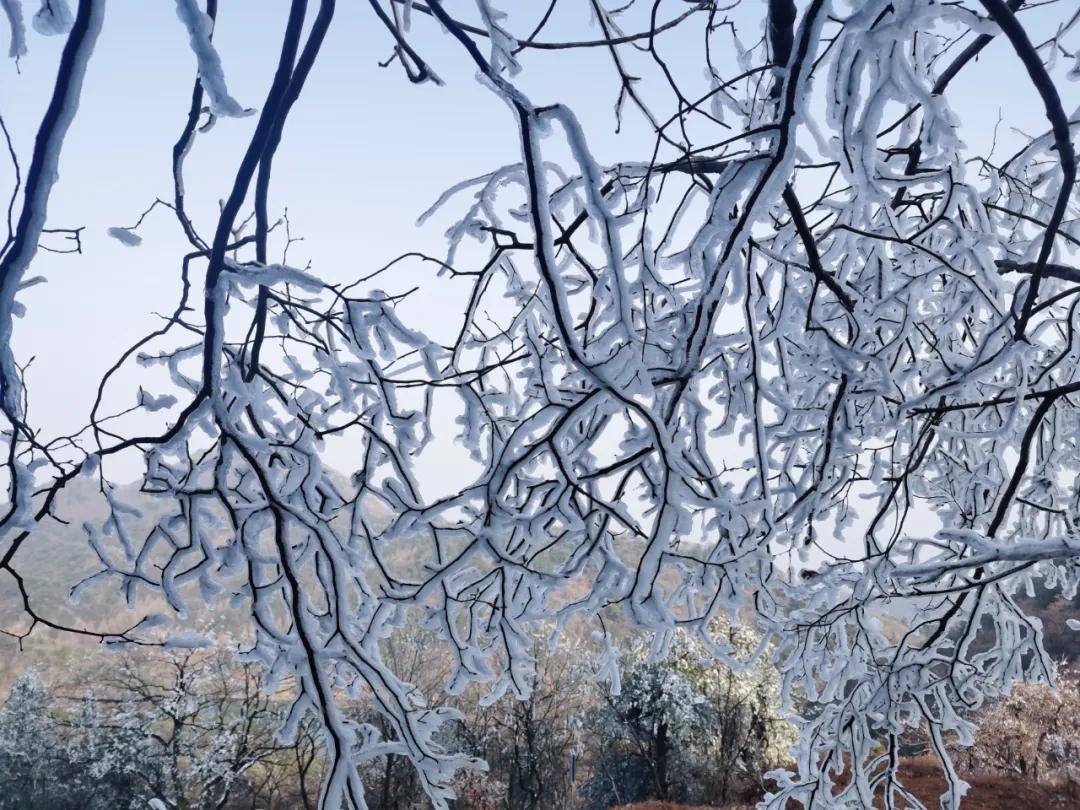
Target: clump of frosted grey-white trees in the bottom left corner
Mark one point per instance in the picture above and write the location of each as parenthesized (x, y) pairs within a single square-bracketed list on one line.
[(187, 730)]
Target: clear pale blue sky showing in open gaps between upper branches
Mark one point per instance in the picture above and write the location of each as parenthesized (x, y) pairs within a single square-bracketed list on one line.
[(366, 153)]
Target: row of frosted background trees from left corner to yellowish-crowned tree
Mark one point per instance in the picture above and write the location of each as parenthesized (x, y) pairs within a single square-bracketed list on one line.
[(192, 731)]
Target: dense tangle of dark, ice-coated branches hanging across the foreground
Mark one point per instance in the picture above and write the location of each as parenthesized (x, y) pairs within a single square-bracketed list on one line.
[(742, 377)]
